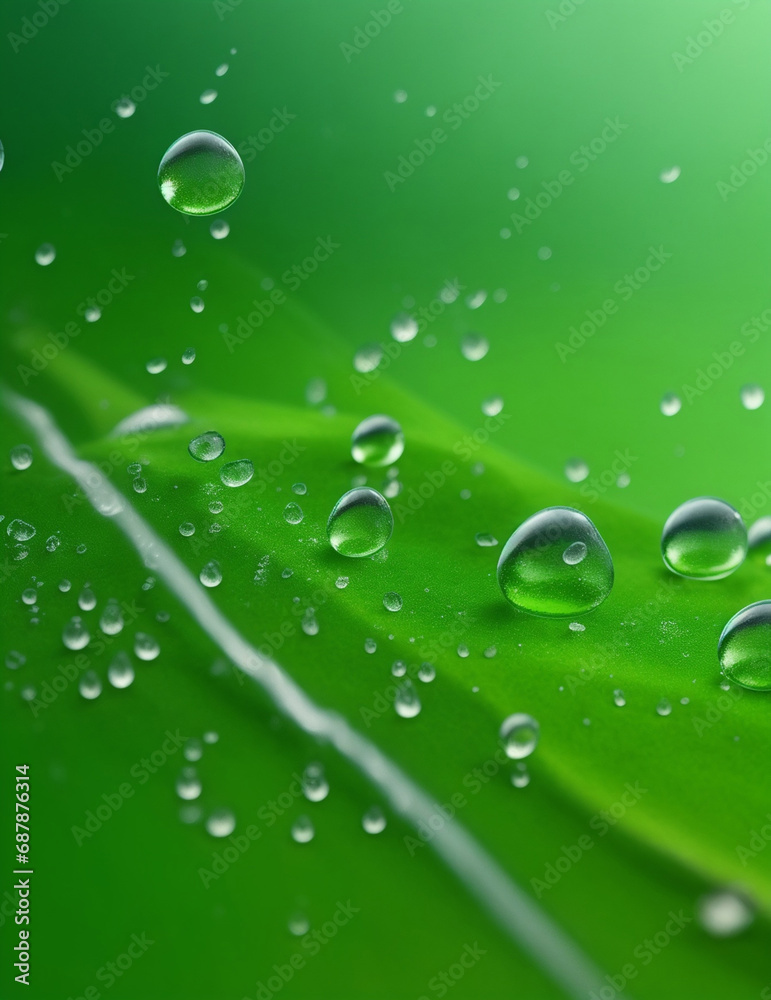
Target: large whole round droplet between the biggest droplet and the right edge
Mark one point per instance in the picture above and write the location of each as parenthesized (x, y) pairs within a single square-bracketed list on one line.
[(704, 539)]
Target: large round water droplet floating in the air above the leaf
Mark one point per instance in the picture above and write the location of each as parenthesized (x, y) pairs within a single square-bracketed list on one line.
[(200, 174)]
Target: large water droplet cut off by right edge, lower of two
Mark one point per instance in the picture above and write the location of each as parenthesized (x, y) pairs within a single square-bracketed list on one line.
[(744, 648)]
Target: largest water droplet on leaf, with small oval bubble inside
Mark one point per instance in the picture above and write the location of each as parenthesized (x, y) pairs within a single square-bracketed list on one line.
[(534, 575)]
